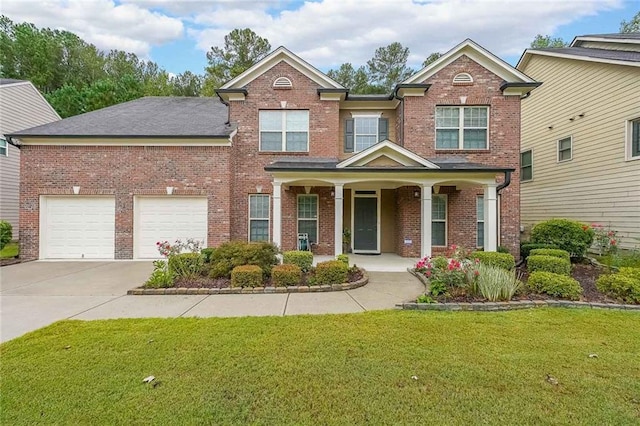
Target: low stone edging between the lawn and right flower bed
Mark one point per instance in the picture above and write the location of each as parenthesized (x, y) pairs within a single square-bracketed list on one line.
[(512, 305)]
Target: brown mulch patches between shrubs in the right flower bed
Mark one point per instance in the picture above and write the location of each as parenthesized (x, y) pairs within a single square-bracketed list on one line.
[(585, 273)]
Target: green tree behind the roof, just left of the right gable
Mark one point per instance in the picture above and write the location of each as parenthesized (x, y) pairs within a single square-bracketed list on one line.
[(388, 66)]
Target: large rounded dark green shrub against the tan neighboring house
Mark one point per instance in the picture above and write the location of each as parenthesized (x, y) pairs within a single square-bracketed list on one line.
[(572, 236)]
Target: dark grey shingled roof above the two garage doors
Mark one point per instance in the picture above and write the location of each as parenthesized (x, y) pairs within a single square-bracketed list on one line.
[(159, 117)]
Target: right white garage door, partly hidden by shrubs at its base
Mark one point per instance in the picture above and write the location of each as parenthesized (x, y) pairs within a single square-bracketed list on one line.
[(168, 219)]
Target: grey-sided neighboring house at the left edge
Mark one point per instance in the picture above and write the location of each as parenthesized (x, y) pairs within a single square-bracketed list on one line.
[(21, 107)]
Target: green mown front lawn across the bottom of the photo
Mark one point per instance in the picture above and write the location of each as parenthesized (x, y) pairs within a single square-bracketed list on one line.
[(472, 367)]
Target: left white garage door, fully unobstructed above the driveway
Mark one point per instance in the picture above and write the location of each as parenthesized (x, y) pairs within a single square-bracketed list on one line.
[(77, 227)]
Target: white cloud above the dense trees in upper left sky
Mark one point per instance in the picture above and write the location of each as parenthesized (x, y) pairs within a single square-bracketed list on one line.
[(102, 22)]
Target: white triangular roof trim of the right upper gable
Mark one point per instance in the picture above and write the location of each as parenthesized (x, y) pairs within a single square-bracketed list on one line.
[(478, 54)]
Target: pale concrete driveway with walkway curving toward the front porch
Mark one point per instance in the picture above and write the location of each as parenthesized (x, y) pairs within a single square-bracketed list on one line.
[(36, 294)]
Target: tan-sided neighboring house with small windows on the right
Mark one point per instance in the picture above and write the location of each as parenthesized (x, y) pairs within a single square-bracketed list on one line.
[(580, 155)]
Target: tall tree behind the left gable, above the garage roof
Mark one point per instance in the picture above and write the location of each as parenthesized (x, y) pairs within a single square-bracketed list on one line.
[(242, 48)]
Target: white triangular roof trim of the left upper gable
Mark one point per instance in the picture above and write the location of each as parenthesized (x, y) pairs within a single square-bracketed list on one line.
[(272, 59)]
